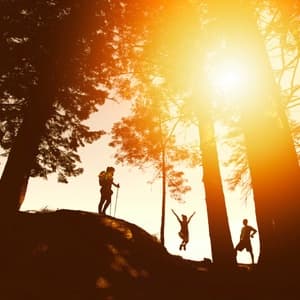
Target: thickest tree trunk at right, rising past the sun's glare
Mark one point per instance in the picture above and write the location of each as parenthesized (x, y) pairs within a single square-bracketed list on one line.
[(271, 153)]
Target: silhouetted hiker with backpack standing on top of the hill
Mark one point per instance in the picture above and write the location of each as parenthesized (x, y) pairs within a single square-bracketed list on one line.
[(106, 180)]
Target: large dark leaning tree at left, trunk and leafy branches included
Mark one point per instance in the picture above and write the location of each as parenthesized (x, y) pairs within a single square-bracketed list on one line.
[(61, 60)]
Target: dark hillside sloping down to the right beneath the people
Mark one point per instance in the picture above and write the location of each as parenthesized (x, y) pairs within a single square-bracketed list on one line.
[(80, 255)]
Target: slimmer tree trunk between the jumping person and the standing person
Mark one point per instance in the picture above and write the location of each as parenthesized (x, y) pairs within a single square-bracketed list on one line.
[(219, 231)]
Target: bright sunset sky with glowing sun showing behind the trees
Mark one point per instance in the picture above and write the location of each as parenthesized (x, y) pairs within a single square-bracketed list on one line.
[(233, 74)]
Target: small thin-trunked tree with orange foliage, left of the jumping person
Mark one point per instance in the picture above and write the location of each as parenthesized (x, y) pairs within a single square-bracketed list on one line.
[(148, 138)]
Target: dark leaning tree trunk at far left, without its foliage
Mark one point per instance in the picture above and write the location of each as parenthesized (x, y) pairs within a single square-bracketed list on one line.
[(61, 40)]
